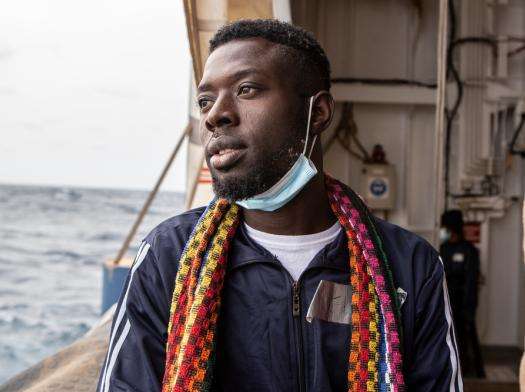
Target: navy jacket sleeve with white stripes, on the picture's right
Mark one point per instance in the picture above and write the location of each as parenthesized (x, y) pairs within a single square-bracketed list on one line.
[(436, 362)]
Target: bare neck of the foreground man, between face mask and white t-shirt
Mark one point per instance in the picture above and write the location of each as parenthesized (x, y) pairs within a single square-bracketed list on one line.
[(309, 212)]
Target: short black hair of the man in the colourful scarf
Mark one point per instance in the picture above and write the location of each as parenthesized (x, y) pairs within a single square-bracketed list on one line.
[(301, 48)]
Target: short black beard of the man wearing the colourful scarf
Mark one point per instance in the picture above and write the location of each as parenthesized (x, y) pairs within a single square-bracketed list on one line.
[(268, 168)]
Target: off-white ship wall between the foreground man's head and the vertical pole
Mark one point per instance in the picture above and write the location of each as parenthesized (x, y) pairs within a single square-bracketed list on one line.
[(384, 40)]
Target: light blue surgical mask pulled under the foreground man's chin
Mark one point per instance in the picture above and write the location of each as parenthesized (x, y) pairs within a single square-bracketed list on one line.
[(295, 179)]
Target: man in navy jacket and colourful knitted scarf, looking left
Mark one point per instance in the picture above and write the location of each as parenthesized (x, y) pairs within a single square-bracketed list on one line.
[(285, 282)]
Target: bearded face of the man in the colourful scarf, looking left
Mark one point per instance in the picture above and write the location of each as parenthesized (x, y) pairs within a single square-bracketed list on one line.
[(253, 118)]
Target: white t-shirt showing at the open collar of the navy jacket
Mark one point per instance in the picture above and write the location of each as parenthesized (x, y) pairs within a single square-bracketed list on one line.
[(294, 251)]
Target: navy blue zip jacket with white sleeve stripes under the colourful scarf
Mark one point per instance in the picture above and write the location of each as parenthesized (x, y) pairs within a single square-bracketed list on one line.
[(261, 345)]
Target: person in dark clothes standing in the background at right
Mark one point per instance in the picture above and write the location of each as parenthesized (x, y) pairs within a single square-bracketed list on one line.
[(461, 262)]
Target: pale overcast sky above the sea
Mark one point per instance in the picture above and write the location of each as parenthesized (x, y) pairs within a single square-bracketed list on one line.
[(92, 93)]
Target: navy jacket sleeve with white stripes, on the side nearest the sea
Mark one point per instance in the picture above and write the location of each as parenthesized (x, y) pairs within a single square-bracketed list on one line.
[(136, 353)]
